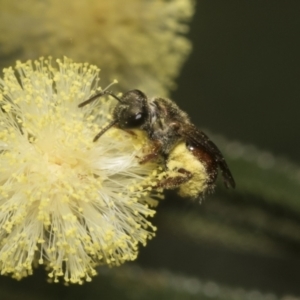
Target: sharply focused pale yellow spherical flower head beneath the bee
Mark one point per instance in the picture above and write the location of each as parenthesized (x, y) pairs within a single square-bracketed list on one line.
[(66, 201)]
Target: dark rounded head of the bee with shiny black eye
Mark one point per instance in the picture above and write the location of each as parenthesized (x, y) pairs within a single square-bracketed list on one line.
[(132, 110)]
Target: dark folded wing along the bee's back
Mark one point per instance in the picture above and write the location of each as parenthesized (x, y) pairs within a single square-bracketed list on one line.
[(199, 139)]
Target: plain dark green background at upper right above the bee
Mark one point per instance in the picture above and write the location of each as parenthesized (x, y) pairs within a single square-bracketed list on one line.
[(243, 77)]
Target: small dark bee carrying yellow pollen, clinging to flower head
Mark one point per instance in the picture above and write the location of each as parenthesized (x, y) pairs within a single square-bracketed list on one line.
[(191, 159)]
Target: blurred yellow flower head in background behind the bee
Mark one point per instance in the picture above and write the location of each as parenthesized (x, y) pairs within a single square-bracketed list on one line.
[(140, 42)]
